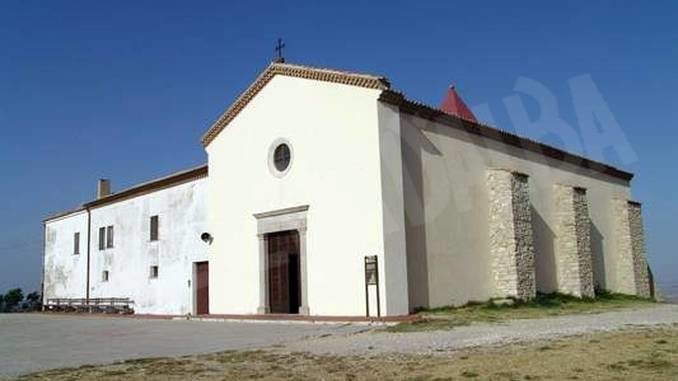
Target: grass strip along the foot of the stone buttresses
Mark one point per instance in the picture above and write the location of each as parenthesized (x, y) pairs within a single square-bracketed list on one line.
[(544, 305)]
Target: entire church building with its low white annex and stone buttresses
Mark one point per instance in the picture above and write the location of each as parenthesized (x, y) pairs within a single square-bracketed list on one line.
[(328, 193)]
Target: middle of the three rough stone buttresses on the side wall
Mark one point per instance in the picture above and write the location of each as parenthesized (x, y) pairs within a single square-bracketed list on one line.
[(574, 263)]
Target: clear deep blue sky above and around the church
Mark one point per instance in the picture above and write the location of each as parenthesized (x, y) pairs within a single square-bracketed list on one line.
[(125, 89)]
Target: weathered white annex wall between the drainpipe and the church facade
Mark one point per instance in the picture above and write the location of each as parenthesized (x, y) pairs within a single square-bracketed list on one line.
[(181, 210)]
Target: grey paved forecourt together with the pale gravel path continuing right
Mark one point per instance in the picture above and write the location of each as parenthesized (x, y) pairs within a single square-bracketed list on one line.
[(33, 342)]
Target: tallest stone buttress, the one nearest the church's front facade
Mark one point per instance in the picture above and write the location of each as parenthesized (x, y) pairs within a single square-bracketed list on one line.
[(511, 241)]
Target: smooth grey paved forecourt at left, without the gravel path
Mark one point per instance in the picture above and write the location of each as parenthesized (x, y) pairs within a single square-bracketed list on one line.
[(33, 342)]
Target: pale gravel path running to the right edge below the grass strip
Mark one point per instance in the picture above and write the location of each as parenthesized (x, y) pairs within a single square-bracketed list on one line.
[(380, 342)]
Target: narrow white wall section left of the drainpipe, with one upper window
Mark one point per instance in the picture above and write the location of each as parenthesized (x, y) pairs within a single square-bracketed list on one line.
[(65, 273)]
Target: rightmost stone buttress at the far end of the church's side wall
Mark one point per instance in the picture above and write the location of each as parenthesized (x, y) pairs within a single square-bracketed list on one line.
[(632, 275)]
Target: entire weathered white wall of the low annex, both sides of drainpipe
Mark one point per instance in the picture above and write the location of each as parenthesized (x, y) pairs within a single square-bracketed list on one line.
[(181, 210)]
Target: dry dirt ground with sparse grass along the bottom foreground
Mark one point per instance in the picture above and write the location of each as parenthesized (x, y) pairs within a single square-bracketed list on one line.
[(637, 354)]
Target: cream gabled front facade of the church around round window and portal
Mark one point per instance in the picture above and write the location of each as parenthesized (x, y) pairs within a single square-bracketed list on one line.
[(336, 170)]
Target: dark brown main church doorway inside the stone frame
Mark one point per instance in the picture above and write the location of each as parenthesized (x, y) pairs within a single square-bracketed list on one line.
[(283, 272)]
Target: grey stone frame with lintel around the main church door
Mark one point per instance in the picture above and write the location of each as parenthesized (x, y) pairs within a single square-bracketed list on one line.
[(276, 221)]
